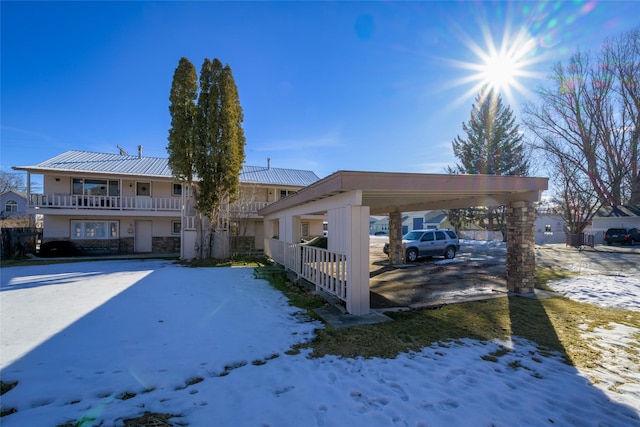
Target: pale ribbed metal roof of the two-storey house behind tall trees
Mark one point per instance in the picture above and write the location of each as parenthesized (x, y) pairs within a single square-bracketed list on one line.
[(75, 161)]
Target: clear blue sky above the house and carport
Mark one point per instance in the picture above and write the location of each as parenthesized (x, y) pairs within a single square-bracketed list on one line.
[(324, 86)]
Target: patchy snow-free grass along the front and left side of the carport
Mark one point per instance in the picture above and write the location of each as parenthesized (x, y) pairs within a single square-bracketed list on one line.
[(556, 324)]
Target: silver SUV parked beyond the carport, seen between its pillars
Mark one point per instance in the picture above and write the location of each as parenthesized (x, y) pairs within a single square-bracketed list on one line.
[(425, 243)]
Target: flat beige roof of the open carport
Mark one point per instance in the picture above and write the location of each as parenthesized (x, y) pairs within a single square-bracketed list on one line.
[(386, 192)]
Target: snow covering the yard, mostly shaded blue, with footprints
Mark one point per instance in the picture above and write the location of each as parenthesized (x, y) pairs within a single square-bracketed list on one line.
[(109, 340)]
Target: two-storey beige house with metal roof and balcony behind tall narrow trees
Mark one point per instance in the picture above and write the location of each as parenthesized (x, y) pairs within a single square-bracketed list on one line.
[(132, 204)]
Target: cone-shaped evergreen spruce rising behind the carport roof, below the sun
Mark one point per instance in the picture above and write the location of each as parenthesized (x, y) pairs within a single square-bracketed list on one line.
[(493, 146)]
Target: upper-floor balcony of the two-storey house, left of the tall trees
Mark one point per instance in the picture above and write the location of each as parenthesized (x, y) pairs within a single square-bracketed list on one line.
[(69, 204)]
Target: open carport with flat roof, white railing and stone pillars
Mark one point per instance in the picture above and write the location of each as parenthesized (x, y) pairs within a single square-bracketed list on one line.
[(346, 199)]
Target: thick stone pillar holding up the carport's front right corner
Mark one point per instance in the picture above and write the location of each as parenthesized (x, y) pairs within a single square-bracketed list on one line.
[(521, 257)]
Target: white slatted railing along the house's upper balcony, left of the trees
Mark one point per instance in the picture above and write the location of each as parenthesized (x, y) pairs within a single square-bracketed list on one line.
[(73, 201)]
